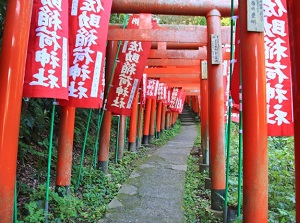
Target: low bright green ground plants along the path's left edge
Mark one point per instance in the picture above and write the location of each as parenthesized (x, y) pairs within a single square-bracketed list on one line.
[(90, 202)]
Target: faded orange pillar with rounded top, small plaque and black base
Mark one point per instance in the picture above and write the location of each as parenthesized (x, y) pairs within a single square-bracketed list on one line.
[(216, 110)]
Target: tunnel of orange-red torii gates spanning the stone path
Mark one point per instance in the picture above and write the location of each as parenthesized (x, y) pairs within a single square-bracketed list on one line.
[(175, 59)]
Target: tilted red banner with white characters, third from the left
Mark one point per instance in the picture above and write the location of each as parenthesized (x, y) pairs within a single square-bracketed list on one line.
[(128, 73)]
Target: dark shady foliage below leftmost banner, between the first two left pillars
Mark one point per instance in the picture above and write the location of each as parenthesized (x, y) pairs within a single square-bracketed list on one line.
[(34, 135)]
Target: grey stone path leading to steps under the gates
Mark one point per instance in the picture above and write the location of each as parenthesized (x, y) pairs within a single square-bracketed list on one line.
[(154, 192)]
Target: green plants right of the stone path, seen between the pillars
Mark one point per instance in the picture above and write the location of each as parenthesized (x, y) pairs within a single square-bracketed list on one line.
[(281, 182)]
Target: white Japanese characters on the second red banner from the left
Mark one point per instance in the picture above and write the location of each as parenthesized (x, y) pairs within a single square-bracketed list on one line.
[(86, 59)]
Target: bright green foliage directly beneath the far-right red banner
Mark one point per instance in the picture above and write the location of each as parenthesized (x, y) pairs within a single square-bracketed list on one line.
[(281, 180)]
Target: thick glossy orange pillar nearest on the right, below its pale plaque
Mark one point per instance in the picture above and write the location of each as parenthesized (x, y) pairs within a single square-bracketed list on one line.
[(255, 137)]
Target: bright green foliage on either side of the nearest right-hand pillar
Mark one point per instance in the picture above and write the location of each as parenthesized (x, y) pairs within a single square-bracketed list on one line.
[(281, 169)]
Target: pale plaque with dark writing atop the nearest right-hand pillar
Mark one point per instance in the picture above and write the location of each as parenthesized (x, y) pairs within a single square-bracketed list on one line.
[(255, 16)]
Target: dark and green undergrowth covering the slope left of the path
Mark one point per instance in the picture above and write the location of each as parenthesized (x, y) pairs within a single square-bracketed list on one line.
[(96, 190)]
